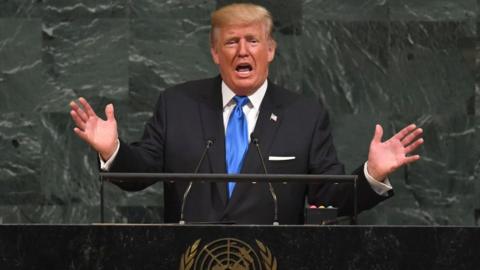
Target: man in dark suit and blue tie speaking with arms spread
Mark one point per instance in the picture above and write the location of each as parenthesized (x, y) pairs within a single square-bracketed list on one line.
[(229, 110)]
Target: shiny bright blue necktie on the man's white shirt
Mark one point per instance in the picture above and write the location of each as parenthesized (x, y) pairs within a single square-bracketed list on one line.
[(236, 140)]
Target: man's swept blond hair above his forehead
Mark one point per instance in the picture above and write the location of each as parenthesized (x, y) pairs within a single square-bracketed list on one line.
[(240, 14)]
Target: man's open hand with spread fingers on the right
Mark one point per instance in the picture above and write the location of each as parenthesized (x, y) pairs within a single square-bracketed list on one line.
[(386, 157)]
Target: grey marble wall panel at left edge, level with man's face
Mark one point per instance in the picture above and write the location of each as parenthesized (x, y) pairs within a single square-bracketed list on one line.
[(21, 73)]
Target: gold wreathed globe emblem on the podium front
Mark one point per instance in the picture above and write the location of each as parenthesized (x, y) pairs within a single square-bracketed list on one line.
[(227, 254)]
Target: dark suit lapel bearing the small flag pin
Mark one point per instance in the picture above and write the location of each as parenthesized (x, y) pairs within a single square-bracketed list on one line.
[(268, 122)]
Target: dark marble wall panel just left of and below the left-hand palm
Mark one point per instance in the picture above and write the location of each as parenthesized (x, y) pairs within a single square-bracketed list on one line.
[(68, 166)]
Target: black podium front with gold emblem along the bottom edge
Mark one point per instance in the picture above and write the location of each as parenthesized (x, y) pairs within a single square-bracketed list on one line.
[(237, 247)]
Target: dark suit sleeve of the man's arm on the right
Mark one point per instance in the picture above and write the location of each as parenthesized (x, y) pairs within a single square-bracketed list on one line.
[(323, 160)]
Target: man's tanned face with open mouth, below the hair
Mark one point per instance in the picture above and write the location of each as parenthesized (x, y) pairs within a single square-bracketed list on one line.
[(243, 53)]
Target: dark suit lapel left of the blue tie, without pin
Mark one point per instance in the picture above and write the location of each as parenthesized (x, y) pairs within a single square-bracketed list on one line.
[(211, 115)]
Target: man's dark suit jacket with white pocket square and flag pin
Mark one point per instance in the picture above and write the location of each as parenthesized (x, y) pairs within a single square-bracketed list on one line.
[(189, 114)]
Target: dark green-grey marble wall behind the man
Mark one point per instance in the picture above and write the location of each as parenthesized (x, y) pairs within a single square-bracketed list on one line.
[(391, 62)]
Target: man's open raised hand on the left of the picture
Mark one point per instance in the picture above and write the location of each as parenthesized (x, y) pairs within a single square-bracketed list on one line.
[(101, 135)]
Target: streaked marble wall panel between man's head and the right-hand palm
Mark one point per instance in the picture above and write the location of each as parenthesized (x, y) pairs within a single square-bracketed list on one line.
[(345, 64)]
